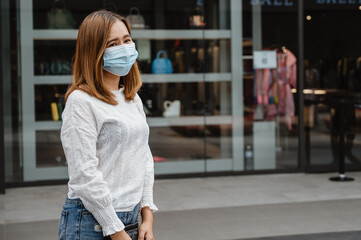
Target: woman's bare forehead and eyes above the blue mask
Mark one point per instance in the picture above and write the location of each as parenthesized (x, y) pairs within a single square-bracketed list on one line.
[(118, 35)]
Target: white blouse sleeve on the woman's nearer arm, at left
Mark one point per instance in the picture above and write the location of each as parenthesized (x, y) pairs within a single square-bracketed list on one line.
[(79, 134)]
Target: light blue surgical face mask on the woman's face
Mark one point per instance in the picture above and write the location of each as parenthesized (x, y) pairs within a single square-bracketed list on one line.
[(120, 59)]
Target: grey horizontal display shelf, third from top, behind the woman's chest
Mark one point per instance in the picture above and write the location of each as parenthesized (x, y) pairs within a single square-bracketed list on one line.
[(154, 122)]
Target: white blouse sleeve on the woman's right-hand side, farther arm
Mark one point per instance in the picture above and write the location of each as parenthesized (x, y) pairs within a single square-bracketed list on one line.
[(147, 197)]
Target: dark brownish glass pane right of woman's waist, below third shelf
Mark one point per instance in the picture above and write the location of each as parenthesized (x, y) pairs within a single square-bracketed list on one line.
[(177, 143)]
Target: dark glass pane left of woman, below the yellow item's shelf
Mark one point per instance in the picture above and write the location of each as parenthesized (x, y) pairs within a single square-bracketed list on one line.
[(49, 151)]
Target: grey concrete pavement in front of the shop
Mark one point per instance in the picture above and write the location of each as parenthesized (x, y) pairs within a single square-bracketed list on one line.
[(282, 206)]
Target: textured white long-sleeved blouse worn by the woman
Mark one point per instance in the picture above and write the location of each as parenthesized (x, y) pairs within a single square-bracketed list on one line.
[(110, 164)]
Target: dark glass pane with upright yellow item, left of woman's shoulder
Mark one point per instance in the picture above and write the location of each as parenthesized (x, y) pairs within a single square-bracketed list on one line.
[(49, 102)]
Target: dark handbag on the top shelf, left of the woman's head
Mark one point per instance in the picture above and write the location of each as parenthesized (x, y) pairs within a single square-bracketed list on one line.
[(59, 17)]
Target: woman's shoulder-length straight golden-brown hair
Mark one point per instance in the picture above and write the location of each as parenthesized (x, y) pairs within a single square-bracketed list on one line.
[(88, 59)]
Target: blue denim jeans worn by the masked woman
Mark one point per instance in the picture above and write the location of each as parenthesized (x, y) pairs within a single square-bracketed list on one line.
[(76, 222)]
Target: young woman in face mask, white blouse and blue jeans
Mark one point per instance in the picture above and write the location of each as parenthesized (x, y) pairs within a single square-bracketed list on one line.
[(105, 137)]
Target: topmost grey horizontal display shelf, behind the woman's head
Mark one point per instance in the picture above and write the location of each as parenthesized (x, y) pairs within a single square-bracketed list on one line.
[(158, 34)]
